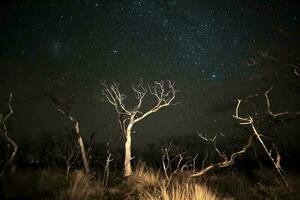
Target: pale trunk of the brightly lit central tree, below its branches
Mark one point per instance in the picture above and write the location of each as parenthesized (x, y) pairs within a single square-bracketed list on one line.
[(127, 160)]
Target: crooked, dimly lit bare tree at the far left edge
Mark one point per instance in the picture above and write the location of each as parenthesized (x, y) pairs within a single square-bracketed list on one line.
[(3, 132)]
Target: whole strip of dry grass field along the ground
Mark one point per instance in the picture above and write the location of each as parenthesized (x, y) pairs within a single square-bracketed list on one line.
[(146, 183)]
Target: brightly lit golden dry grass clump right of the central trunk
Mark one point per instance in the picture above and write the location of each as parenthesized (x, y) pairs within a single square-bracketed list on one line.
[(147, 184)]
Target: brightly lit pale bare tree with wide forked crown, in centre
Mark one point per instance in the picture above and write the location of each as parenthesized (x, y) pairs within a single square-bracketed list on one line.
[(164, 93)]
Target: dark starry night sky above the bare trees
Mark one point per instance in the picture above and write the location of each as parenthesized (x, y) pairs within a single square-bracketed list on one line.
[(216, 51)]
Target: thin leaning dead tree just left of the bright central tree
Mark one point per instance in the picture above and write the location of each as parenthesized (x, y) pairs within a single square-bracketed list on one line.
[(61, 109)]
